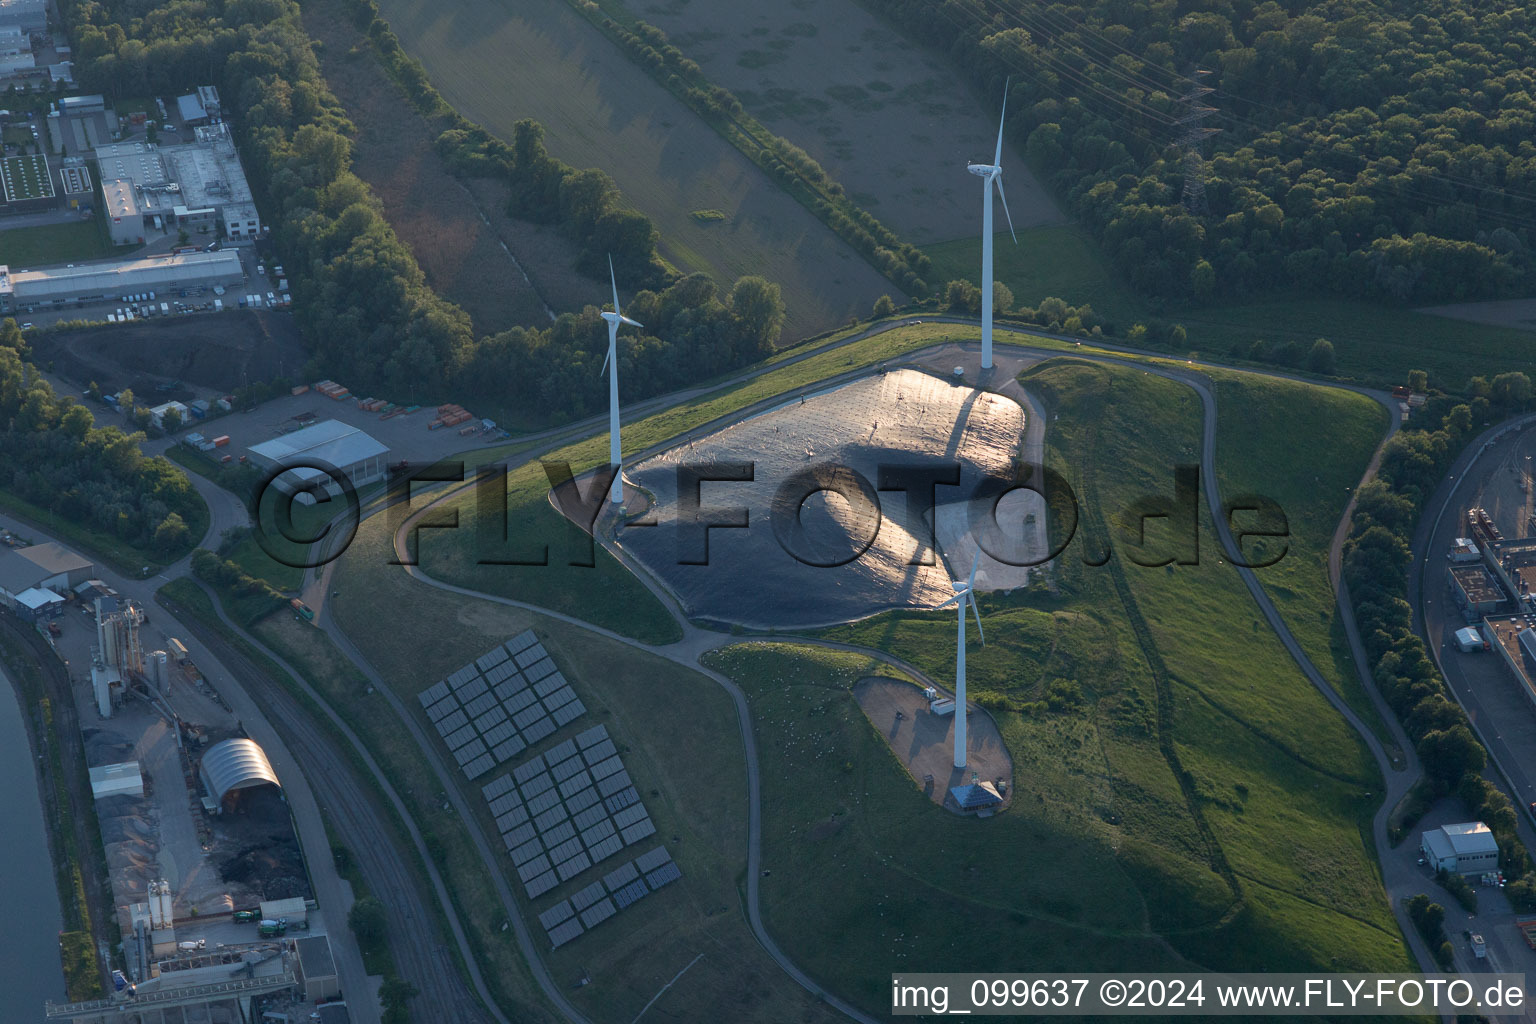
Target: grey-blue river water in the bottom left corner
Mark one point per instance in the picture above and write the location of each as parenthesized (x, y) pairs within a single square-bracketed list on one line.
[(28, 899)]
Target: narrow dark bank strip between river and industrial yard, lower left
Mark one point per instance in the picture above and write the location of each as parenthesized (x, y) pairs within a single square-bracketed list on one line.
[(78, 948)]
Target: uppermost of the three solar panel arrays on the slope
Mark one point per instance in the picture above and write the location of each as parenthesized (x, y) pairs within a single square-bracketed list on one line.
[(502, 704)]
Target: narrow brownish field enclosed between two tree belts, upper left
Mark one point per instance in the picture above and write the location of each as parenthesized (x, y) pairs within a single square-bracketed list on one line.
[(471, 251)]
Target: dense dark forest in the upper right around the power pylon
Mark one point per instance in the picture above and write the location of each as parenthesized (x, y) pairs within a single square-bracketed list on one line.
[(1351, 147)]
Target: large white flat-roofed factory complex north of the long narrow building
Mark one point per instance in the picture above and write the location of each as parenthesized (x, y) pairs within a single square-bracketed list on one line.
[(197, 187)]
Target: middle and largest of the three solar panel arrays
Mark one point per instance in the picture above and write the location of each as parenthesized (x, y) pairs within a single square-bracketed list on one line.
[(563, 811)]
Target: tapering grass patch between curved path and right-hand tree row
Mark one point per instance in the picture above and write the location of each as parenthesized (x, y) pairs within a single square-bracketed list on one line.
[(1306, 448)]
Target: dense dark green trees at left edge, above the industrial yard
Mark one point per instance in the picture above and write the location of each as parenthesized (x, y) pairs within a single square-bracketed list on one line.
[(56, 458)]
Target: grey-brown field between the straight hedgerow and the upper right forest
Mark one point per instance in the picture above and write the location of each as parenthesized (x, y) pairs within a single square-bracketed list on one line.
[(884, 116)]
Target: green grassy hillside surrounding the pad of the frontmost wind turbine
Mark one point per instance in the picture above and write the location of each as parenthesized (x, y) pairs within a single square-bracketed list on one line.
[(1165, 745)]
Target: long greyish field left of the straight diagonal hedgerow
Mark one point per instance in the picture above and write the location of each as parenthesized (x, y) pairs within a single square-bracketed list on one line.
[(497, 67)]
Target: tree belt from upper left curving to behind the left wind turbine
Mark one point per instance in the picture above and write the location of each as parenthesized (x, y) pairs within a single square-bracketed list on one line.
[(365, 305)]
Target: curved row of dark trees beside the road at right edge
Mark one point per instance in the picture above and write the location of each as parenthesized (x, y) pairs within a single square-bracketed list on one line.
[(1377, 561)]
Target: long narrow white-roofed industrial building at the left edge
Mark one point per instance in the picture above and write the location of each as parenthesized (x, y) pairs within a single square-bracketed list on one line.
[(22, 291)]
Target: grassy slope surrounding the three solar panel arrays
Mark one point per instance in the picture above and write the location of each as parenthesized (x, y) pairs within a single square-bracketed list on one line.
[(681, 744)]
